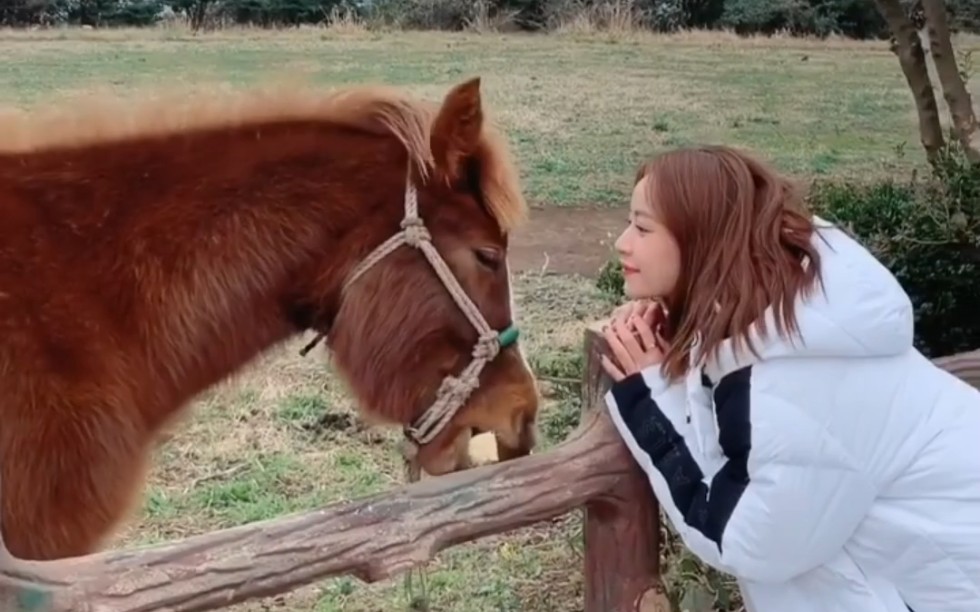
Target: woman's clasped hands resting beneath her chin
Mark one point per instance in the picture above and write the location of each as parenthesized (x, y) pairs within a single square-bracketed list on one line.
[(634, 338)]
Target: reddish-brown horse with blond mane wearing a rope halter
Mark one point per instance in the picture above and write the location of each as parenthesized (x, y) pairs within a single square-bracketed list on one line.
[(147, 251)]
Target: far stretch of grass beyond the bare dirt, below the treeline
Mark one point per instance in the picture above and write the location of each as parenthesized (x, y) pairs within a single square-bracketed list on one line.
[(581, 111)]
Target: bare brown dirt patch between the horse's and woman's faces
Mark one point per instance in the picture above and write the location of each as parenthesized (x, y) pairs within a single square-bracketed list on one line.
[(567, 240)]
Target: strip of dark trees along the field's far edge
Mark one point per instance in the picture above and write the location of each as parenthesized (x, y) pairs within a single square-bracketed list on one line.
[(850, 18)]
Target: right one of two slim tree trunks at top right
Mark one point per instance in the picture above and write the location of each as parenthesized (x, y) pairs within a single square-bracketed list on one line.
[(954, 89)]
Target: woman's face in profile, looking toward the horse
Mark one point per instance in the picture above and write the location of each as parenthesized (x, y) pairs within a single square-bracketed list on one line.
[(649, 254)]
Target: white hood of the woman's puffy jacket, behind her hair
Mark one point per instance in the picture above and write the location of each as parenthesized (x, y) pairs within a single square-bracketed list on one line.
[(859, 310)]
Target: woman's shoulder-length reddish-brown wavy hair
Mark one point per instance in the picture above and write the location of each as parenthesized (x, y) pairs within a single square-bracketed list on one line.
[(744, 236)]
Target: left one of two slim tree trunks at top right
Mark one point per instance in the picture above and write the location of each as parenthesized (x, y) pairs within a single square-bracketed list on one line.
[(908, 48)]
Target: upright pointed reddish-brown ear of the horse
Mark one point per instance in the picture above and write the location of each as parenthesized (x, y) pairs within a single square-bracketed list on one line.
[(457, 127)]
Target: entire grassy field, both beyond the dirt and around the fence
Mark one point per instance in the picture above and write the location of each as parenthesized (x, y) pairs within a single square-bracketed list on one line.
[(581, 111)]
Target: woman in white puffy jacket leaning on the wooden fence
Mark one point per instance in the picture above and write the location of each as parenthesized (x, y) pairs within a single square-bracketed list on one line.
[(766, 382)]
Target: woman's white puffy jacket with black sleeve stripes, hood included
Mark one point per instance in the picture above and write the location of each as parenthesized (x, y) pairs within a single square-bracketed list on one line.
[(842, 475)]
